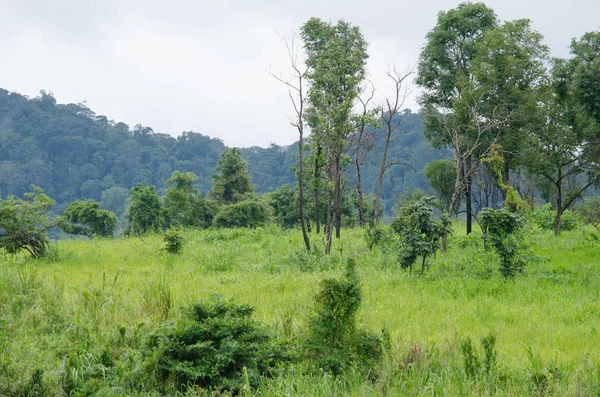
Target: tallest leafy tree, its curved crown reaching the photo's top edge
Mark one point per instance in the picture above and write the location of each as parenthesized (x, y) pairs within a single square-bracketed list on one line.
[(445, 67)]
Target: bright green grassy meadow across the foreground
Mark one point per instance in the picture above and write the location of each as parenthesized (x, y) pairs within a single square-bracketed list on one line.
[(70, 323)]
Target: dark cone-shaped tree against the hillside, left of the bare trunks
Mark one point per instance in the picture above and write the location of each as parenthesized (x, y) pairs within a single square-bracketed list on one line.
[(232, 181)]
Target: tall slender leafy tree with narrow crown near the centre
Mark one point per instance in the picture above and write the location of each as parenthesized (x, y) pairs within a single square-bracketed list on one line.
[(336, 56)]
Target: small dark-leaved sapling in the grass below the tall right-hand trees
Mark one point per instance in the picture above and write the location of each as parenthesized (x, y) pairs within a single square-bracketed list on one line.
[(419, 231)]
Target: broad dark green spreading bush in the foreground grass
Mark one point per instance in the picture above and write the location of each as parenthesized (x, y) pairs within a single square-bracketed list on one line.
[(217, 346)]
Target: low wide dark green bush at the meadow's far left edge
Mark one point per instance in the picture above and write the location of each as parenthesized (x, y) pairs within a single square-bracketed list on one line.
[(86, 218)]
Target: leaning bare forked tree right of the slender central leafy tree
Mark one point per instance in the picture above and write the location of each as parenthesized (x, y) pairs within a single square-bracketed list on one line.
[(391, 124)]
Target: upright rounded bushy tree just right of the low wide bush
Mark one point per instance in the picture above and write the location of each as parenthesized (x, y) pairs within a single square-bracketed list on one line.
[(145, 212)]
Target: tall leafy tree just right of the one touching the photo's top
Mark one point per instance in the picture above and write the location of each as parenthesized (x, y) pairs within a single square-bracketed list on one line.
[(509, 69)]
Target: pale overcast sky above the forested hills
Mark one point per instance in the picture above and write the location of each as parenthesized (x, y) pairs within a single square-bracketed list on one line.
[(199, 65)]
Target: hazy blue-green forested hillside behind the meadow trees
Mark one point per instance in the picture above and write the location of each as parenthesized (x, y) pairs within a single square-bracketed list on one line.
[(72, 153)]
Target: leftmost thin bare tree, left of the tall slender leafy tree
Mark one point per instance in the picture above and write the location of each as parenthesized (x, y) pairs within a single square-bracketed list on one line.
[(294, 81)]
